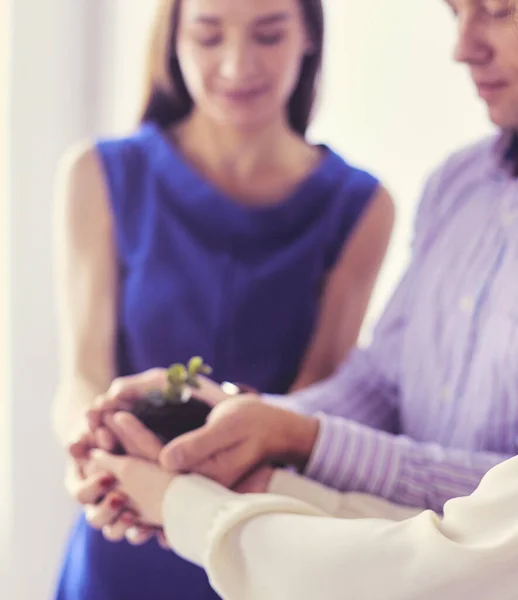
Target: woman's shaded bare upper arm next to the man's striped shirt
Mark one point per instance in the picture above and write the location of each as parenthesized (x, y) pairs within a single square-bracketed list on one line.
[(347, 292)]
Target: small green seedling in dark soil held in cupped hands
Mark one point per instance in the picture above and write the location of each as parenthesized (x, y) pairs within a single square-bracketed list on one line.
[(175, 410)]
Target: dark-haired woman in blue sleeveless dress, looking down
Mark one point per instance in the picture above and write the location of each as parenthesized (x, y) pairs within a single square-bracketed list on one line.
[(215, 229)]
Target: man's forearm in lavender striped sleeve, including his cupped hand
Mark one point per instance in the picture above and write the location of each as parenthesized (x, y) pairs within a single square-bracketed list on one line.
[(340, 453)]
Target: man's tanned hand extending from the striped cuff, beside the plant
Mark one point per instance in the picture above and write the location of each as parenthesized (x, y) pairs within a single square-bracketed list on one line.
[(240, 434)]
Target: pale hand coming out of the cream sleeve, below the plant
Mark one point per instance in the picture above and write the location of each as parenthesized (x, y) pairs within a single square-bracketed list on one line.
[(144, 482)]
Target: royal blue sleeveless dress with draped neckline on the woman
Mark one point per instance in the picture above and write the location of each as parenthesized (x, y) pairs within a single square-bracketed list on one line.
[(203, 275)]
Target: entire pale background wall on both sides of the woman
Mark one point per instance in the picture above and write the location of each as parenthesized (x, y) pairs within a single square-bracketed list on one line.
[(392, 102)]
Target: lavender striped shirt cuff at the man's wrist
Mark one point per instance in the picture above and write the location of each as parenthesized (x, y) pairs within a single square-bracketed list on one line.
[(349, 456)]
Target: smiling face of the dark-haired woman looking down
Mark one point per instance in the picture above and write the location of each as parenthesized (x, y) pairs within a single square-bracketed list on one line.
[(241, 59)]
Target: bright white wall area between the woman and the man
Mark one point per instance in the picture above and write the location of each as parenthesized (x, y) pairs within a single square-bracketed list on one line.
[(395, 102)]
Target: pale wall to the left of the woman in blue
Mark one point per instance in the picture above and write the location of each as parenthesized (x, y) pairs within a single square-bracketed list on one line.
[(69, 68)]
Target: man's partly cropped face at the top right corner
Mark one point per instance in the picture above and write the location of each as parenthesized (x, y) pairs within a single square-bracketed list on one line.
[(488, 44)]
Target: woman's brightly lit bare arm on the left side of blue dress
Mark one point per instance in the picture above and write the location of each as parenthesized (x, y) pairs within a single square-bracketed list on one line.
[(85, 271)]
